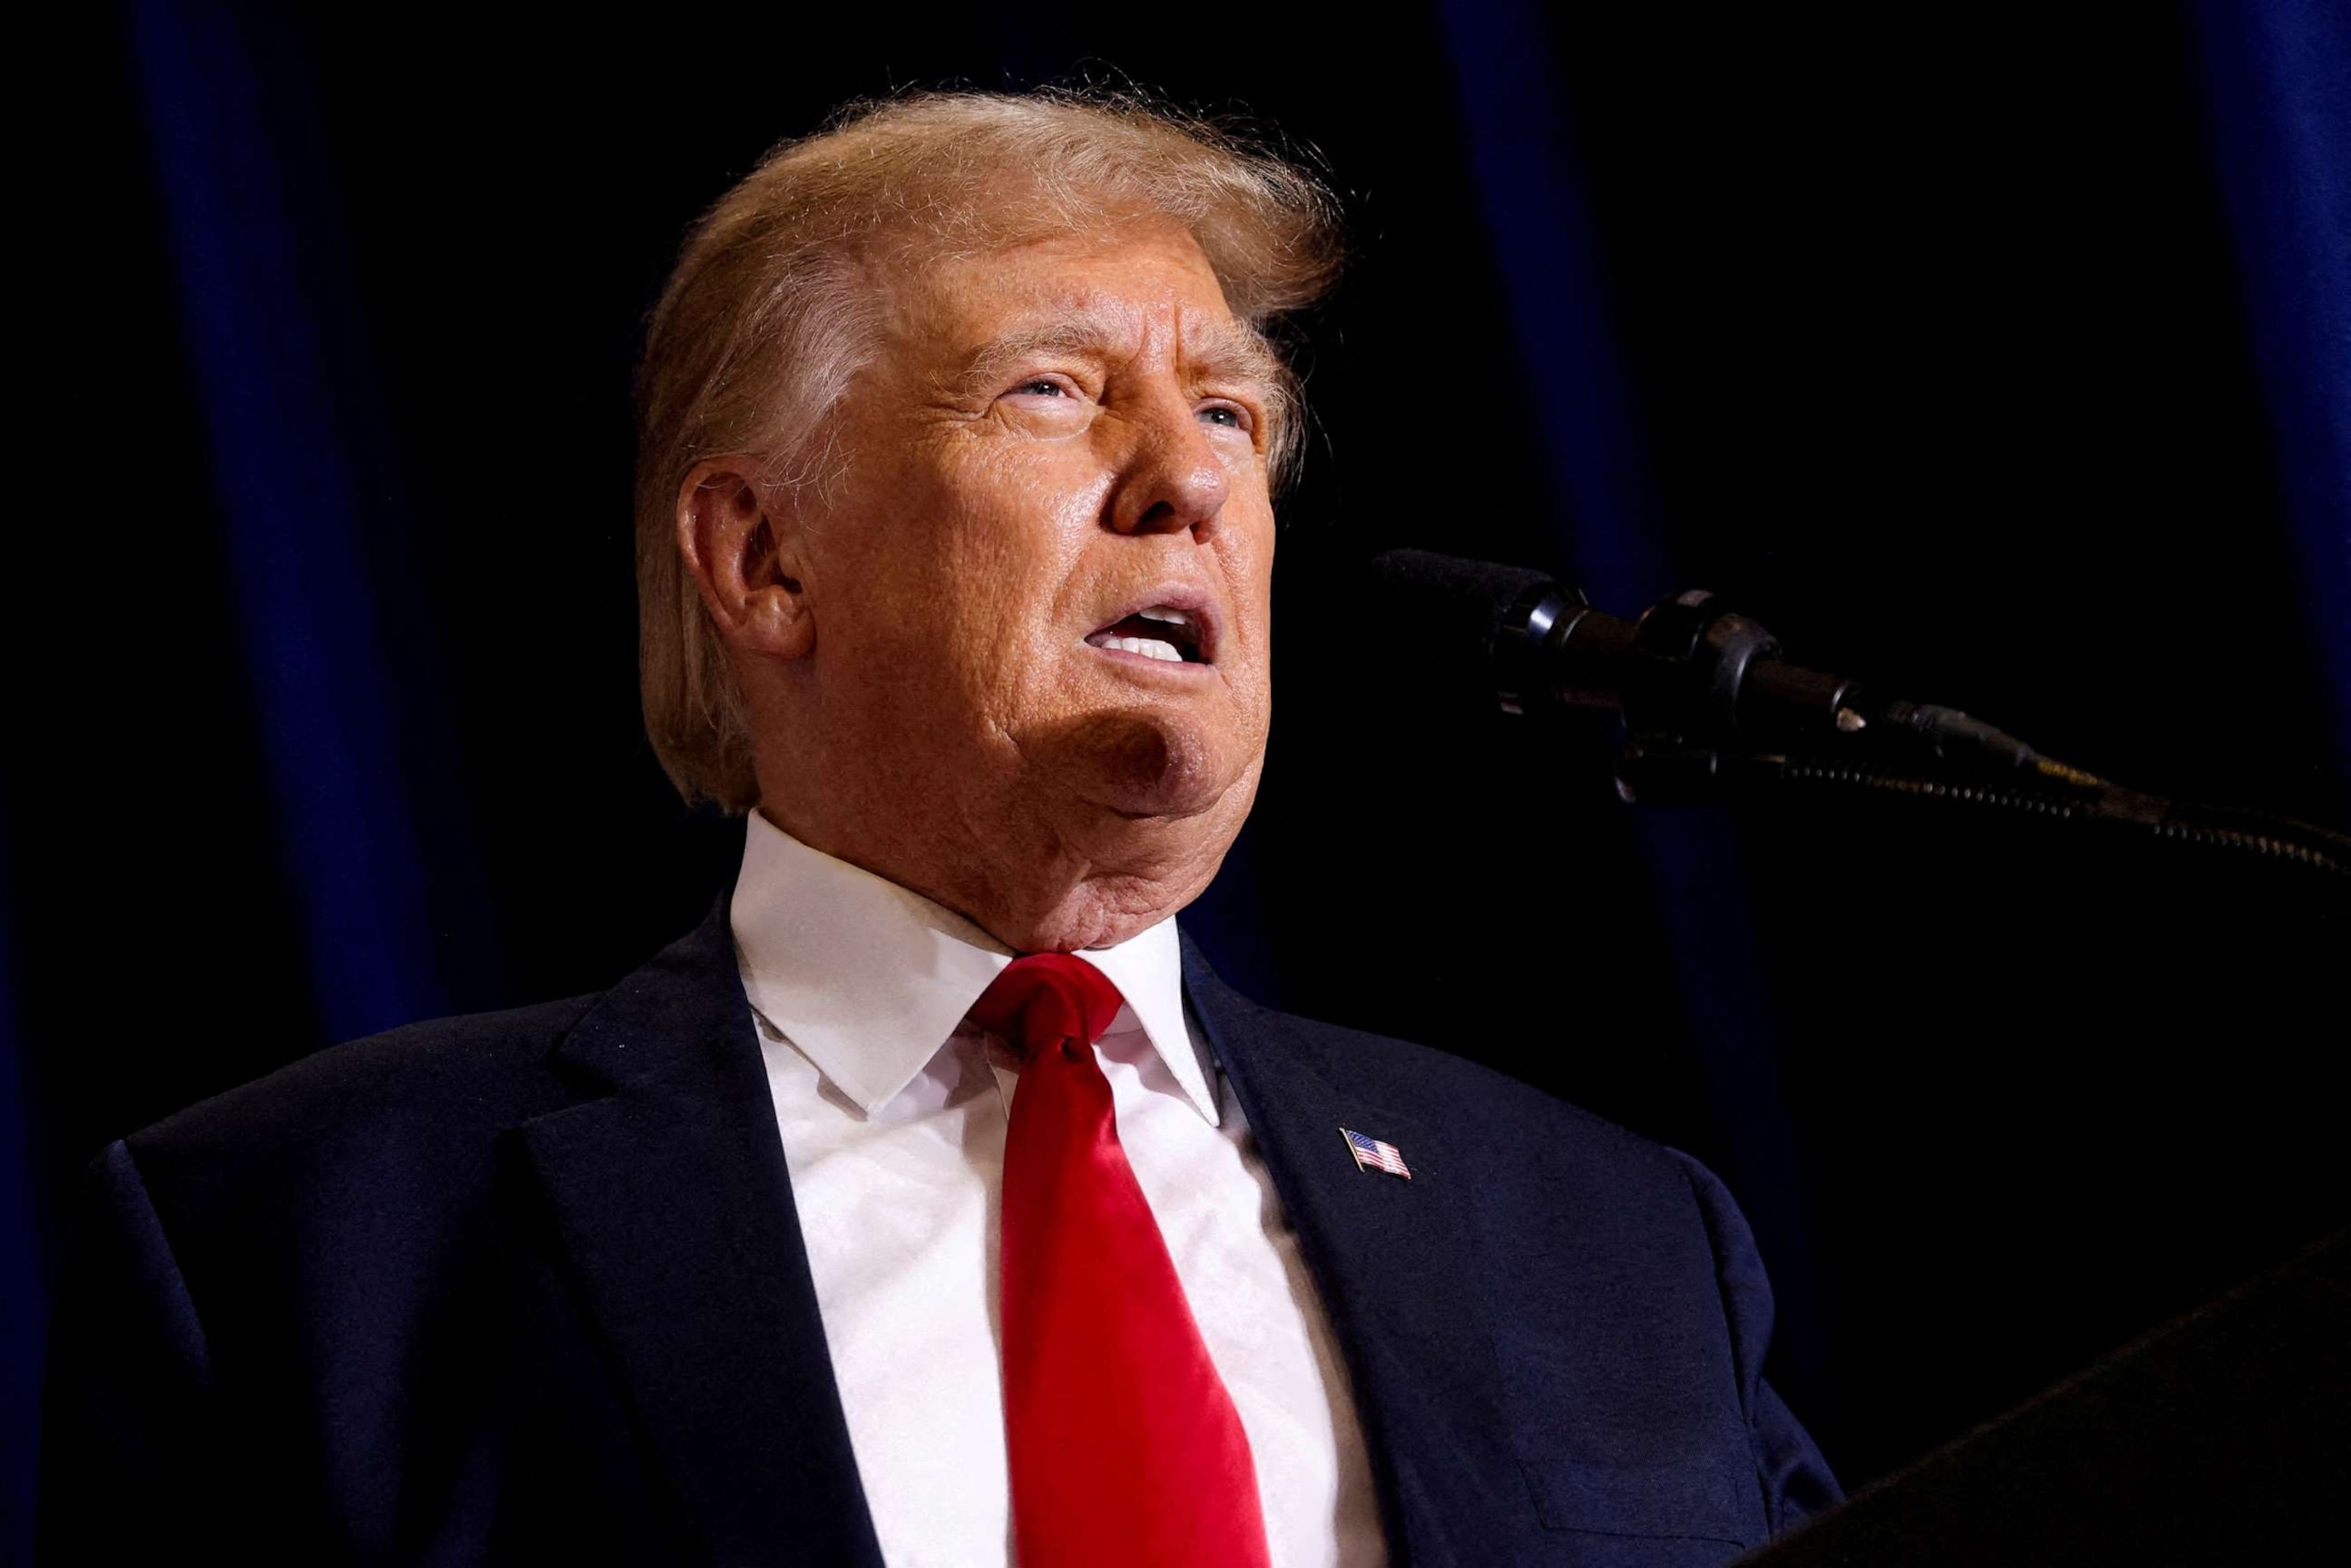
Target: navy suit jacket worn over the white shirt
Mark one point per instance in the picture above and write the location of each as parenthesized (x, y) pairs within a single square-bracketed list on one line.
[(530, 1287)]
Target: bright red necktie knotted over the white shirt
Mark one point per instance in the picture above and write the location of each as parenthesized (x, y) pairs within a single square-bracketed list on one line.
[(1125, 1445)]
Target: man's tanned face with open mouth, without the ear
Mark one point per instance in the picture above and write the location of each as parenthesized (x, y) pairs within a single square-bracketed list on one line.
[(1043, 582)]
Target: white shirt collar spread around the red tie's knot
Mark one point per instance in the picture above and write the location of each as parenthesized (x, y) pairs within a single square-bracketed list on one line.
[(869, 979)]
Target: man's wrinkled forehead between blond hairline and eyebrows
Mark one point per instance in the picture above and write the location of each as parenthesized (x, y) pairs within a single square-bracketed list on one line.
[(1123, 288)]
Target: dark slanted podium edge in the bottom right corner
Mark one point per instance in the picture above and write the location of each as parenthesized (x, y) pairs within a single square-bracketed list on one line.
[(2218, 1440)]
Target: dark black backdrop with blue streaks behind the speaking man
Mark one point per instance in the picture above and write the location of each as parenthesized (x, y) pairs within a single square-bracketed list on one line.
[(1988, 354)]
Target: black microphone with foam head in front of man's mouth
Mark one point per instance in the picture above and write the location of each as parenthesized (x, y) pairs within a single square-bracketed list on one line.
[(1689, 671)]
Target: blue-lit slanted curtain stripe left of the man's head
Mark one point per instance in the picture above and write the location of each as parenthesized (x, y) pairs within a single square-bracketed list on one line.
[(312, 514)]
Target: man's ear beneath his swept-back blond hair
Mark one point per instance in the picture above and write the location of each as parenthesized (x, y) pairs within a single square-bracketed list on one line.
[(744, 558)]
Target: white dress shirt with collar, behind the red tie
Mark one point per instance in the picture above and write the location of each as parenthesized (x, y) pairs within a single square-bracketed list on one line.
[(892, 1113)]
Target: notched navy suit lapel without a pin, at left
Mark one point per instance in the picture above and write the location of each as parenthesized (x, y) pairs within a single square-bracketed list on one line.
[(674, 1205)]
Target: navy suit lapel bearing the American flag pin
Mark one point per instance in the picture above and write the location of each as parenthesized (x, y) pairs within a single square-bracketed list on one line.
[(1395, 1271)]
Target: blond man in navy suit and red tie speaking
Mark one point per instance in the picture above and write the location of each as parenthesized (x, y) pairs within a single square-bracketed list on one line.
[(932, 1202)]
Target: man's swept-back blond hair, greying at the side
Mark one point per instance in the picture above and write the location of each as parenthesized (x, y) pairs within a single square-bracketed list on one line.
[(770, 314)]
